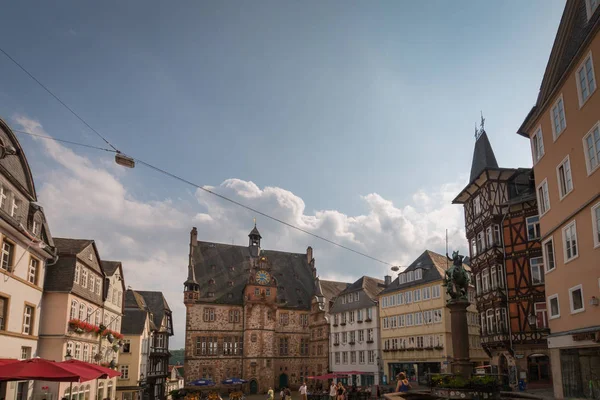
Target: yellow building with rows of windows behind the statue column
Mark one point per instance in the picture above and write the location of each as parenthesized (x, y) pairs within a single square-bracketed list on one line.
[(415, 323)]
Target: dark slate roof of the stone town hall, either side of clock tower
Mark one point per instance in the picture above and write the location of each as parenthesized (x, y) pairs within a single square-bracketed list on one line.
[(213, 261)]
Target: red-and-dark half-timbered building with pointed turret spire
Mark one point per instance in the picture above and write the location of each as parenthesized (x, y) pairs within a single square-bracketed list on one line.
[(502, 227)]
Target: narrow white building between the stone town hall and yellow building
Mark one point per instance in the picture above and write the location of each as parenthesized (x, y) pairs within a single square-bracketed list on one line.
[(354, 341)]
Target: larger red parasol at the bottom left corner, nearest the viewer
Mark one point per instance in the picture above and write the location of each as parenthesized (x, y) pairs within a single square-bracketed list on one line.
[(45, 370)]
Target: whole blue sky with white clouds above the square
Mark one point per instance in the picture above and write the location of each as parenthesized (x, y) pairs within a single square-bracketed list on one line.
[(351, 119)]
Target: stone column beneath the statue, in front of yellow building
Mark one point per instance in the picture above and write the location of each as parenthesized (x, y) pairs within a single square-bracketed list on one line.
[(461, 363)]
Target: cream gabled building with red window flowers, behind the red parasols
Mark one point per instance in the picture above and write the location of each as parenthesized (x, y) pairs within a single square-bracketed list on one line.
[(78, 326)]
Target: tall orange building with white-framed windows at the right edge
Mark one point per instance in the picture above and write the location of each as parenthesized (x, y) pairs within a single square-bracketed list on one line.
[(564, 131)]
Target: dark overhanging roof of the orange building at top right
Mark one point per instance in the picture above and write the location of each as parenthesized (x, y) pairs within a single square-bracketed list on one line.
[(573, 35)]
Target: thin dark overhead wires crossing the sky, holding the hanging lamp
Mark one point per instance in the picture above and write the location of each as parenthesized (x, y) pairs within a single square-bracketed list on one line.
[(169, 174)]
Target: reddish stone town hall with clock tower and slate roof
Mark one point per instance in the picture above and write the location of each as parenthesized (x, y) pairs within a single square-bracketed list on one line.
[(255, 314)]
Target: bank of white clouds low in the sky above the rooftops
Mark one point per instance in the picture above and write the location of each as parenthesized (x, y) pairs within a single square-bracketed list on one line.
[(86, 198)]
